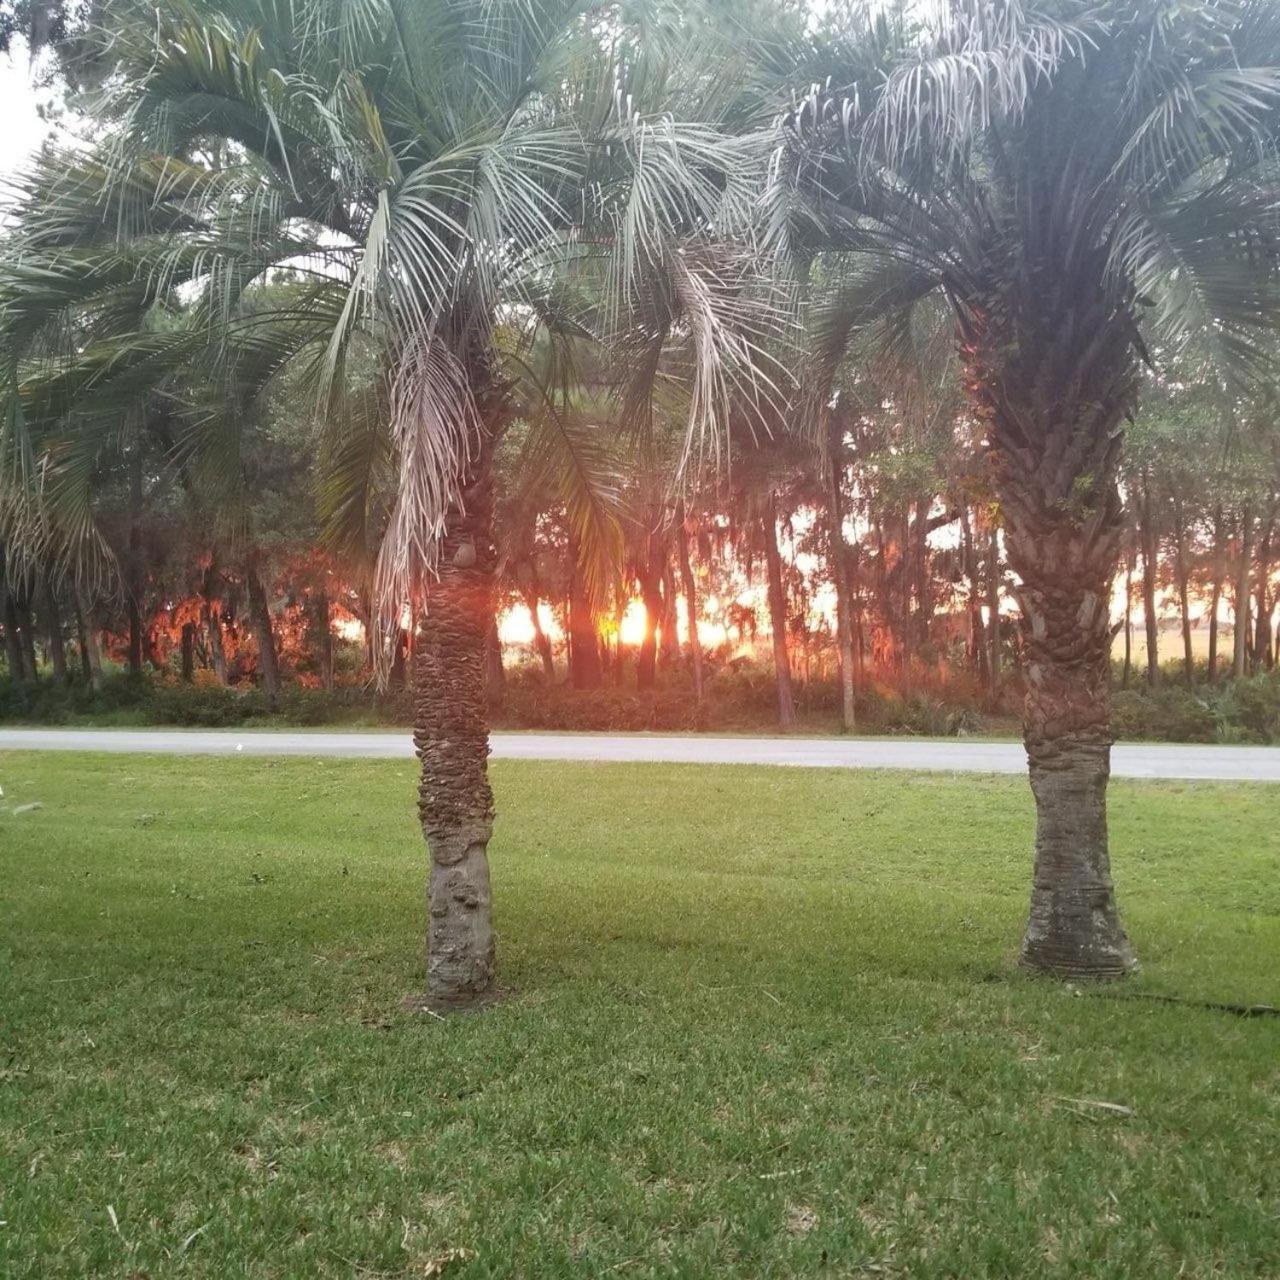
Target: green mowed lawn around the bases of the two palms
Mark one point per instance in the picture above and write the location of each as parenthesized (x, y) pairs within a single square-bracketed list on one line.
[(758, 1023)]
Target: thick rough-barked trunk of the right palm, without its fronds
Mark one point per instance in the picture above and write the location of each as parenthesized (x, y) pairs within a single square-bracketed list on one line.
[(1052, 373)]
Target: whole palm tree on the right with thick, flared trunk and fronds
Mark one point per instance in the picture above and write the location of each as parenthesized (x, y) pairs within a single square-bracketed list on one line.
[(1082, 186)]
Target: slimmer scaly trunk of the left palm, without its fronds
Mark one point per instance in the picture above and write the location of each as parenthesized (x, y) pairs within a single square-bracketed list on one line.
[(451, 734)]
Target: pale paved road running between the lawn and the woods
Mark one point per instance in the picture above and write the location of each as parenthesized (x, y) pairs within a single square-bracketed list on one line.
[(1130, 761)]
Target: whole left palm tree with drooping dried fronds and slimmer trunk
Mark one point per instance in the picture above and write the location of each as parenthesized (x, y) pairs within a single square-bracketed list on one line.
[(440, 175)]
